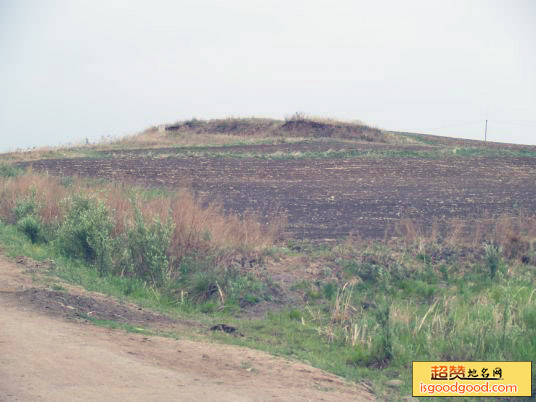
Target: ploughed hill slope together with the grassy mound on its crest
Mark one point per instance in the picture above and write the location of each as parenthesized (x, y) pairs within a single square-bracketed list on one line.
[(329, 178)]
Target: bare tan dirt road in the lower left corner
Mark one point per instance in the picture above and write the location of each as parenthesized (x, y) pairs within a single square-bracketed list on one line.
[(46, 357)]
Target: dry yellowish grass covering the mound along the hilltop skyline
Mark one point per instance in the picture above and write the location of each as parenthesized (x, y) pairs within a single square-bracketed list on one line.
[(216, 132)]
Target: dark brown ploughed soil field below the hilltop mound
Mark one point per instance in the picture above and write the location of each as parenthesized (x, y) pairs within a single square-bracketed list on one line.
[(327, 199)]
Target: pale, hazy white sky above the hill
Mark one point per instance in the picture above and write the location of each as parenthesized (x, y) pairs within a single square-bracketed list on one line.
[(76, 69)]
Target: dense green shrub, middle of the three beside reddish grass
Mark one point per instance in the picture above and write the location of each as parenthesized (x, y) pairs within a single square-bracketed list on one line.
[(86, 232)]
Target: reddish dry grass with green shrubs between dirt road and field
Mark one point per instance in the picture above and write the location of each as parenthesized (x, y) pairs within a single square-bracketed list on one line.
[(131, 231)]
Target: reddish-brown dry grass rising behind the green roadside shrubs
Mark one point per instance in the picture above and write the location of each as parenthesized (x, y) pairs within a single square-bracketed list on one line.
[(197, 228)]
